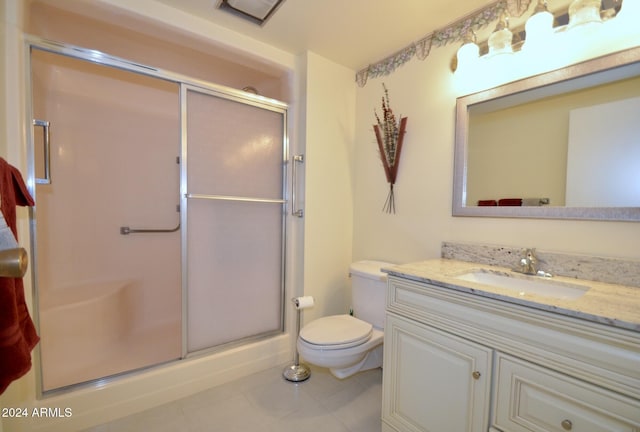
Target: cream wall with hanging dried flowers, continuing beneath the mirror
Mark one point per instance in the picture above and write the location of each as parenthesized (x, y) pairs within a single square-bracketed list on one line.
[(425, 92)]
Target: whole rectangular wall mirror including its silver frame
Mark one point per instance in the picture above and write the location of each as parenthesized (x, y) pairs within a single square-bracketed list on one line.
[(563, 144)]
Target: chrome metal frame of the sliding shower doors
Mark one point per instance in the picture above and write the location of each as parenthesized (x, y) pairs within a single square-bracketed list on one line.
[(185, 83)]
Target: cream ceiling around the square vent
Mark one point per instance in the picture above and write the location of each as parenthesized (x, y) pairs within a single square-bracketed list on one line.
[(354, 33)]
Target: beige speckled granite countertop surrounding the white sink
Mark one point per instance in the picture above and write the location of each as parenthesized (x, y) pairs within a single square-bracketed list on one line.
[(611, 304)]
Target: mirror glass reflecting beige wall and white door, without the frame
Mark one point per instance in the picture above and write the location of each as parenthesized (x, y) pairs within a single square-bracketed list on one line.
[(574, 148)]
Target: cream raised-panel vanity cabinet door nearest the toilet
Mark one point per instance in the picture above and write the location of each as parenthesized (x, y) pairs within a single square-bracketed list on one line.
[(433, 381)]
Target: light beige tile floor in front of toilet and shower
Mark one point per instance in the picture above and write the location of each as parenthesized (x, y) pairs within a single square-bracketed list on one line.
[(266, 402)]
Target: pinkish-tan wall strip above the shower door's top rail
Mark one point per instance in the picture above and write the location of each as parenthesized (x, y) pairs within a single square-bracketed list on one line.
[(133, 38)]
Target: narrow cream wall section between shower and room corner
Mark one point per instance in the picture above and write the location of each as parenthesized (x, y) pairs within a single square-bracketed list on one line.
[(329, 137)]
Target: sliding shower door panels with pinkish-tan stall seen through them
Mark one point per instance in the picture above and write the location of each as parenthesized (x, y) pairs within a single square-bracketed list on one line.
[(159, 219)]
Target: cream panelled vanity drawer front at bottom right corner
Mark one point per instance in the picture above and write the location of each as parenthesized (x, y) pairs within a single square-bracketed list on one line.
[(531, 398)]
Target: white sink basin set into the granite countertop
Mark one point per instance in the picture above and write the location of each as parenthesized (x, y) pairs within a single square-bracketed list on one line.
[(526, 284)]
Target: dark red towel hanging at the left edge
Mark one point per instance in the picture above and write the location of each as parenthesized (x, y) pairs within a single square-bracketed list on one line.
[(17, 333)]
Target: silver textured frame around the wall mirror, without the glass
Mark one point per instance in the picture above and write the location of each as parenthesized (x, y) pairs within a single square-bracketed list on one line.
[(573, 76)]
